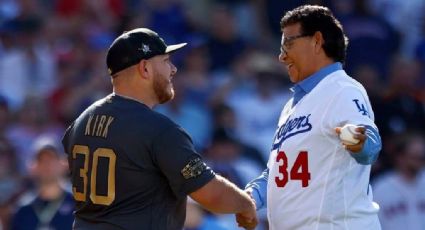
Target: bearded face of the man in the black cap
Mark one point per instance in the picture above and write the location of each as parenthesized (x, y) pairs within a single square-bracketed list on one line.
[(164, 71)]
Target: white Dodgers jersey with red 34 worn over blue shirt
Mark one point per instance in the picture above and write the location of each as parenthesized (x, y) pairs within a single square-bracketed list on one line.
[(314, 183)]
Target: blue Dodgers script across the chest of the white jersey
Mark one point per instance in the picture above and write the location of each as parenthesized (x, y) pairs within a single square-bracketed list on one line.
[(292, 127)]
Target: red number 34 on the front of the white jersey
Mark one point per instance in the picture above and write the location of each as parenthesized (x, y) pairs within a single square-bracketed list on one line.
[(299, 170)]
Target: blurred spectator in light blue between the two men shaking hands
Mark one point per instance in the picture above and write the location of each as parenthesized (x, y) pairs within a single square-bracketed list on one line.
[(254, 95)]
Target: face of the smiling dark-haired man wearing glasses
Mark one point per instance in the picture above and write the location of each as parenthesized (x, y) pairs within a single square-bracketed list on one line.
[(295, 52)]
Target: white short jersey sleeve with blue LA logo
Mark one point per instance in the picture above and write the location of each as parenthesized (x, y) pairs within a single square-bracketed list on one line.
[(350, 106)]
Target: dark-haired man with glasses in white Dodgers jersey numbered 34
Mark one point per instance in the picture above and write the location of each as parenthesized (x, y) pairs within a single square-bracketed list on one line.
[(312, 180)]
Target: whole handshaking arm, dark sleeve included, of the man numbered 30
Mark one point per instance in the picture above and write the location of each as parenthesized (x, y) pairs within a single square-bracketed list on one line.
[(187, 174)]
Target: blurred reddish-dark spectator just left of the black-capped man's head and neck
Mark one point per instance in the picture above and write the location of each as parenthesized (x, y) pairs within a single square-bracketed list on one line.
[(80, 82)]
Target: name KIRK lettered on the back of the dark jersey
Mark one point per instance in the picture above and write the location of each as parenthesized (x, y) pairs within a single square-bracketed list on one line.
[(98, 125)]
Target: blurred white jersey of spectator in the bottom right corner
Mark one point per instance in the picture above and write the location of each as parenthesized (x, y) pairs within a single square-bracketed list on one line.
[(402, 203)]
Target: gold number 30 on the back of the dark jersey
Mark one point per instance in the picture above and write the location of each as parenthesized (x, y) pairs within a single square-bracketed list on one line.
[(84, 174)]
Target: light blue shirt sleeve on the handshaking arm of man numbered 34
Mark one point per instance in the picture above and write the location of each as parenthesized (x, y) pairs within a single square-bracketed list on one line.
[(258, 189)]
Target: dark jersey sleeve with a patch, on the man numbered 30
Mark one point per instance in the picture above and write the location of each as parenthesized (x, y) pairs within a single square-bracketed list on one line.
[(174, 154)]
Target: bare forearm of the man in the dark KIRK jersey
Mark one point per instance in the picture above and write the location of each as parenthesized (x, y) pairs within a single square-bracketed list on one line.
[(222, 196)]
